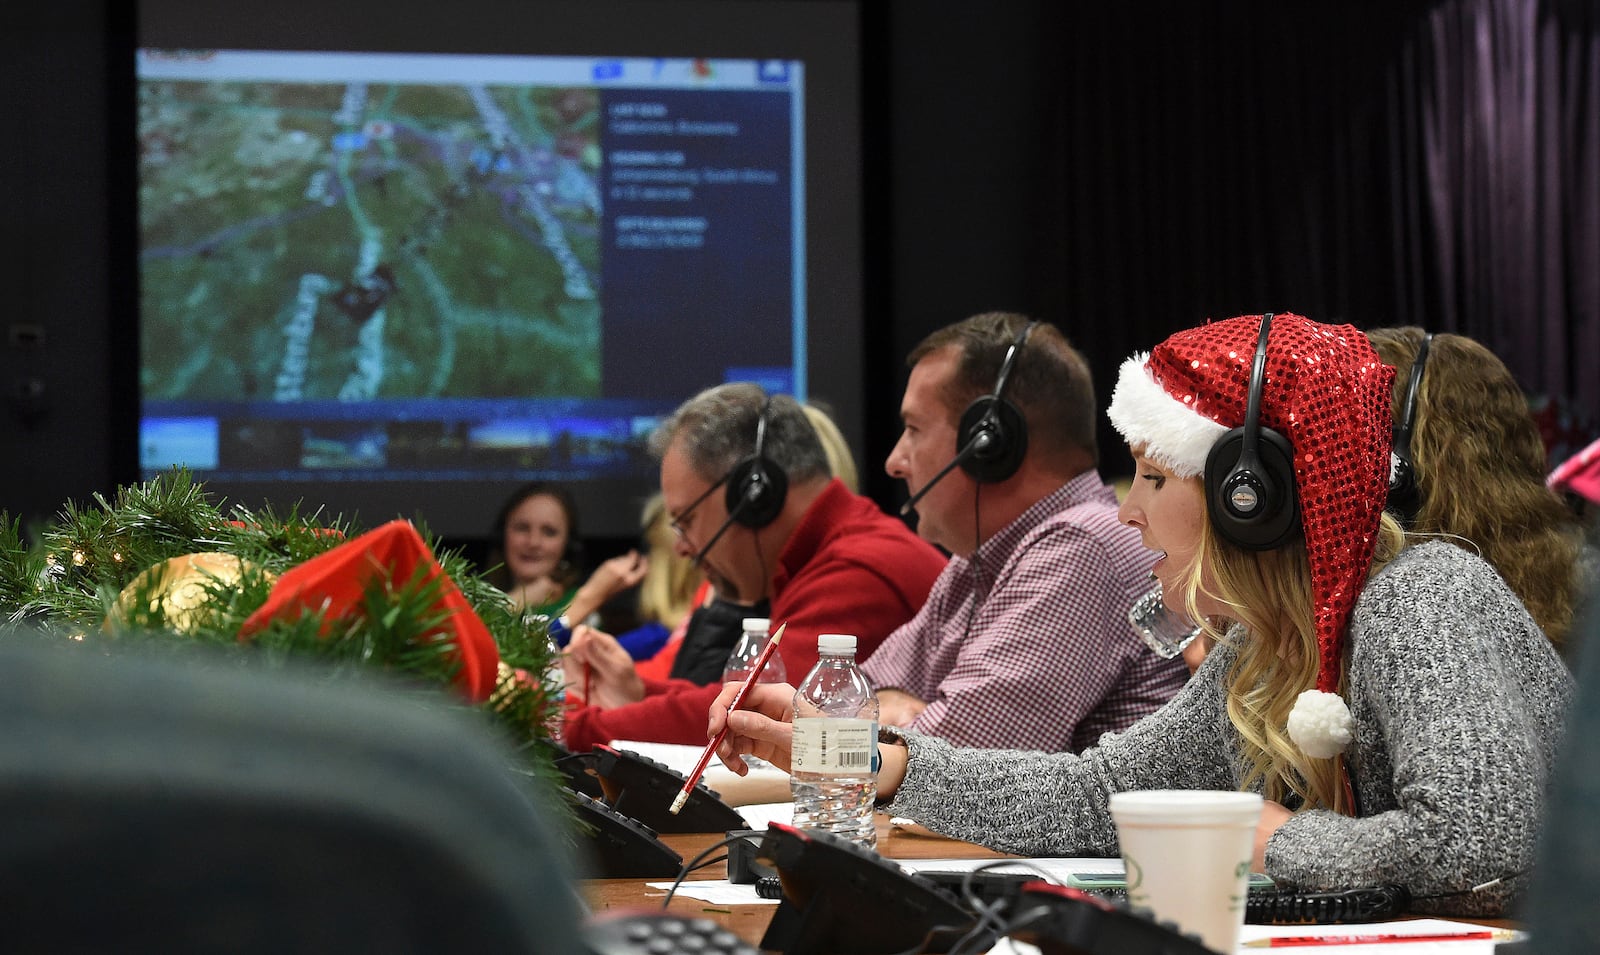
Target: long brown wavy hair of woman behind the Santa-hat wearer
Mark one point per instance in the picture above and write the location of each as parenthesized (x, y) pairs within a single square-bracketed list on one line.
[(1479, 465)]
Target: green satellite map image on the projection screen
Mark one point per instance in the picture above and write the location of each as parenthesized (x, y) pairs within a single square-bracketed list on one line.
[(353, 241)]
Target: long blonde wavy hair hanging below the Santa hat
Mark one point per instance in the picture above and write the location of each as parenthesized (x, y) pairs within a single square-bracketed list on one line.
[(1270, 596)]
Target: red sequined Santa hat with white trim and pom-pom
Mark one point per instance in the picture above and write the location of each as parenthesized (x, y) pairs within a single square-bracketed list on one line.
[(1329, 393)]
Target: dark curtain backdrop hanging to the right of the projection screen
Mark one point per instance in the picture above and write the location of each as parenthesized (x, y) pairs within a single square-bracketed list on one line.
[(1369, 162)]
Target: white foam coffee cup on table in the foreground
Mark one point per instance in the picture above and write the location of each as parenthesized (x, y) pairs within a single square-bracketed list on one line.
[(1188, 857)]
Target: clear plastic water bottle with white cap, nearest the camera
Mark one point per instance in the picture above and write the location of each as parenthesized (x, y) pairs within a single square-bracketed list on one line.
[(834, 762)]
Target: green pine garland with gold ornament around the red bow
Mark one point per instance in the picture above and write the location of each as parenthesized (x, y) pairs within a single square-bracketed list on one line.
[(71, 586)]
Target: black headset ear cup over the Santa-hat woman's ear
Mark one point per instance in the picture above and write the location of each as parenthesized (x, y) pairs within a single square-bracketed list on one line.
[(1278, 521)]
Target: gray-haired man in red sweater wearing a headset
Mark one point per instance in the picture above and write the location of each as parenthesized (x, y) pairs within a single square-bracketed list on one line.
[(751, 497)]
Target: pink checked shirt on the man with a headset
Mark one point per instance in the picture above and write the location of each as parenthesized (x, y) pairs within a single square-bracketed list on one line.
[(1042, 657)]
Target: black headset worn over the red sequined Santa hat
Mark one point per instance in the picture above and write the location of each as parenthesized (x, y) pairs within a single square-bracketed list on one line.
[(1250, 474)]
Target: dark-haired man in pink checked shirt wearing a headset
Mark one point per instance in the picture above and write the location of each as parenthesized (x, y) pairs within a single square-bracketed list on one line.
[(1025, 641)]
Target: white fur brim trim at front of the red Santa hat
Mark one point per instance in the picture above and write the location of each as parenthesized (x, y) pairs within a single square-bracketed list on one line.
[(1170, 431)]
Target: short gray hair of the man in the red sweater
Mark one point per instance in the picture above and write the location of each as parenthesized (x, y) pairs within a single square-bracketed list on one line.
[(716, 430)]
